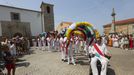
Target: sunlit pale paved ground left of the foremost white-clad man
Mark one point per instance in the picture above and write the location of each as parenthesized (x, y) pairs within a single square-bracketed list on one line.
[(49, 63)]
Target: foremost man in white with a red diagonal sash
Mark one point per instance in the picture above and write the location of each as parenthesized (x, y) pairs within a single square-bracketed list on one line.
[(98, 52)]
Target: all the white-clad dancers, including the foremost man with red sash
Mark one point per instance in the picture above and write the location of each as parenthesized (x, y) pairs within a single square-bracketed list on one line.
[(97, 50)]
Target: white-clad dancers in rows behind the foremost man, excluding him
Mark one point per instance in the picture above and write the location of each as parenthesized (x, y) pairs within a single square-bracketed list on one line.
[(68, 48)]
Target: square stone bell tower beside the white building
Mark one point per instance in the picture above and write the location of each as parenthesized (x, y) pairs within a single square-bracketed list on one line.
[(47, 19)]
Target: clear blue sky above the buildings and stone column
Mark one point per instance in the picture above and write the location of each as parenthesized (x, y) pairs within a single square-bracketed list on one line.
[(97, 12)]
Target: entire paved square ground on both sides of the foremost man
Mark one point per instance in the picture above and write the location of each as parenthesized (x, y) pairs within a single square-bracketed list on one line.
[(49, 63)]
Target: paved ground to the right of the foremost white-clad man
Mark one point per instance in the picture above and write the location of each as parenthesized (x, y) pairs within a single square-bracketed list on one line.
[(122, 61)]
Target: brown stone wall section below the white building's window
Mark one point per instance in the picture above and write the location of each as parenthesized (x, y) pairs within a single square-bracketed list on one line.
[(9, 28)]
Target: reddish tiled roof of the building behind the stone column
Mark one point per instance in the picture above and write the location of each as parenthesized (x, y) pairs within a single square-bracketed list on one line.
[(121, 22)]
